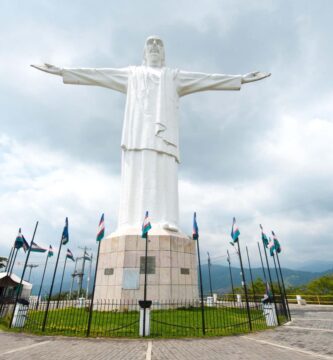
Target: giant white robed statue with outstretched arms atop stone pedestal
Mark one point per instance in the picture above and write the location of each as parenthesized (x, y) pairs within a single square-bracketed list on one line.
[(150, 145)]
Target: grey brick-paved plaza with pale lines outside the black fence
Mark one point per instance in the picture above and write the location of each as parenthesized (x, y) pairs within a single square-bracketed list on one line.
[(308, 336)]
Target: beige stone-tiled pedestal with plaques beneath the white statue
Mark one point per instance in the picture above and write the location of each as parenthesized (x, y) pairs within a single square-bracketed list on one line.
[(172, 268)]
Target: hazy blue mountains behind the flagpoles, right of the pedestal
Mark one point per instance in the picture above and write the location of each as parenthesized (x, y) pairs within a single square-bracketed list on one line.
[(221, 278)]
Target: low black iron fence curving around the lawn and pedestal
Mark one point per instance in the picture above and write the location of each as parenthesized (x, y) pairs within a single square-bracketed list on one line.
[(115, 318)]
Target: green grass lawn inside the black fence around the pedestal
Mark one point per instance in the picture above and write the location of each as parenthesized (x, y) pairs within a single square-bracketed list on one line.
[(164, 323)]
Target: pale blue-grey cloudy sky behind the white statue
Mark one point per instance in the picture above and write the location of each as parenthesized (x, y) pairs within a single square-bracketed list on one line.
[(263, 154)]
